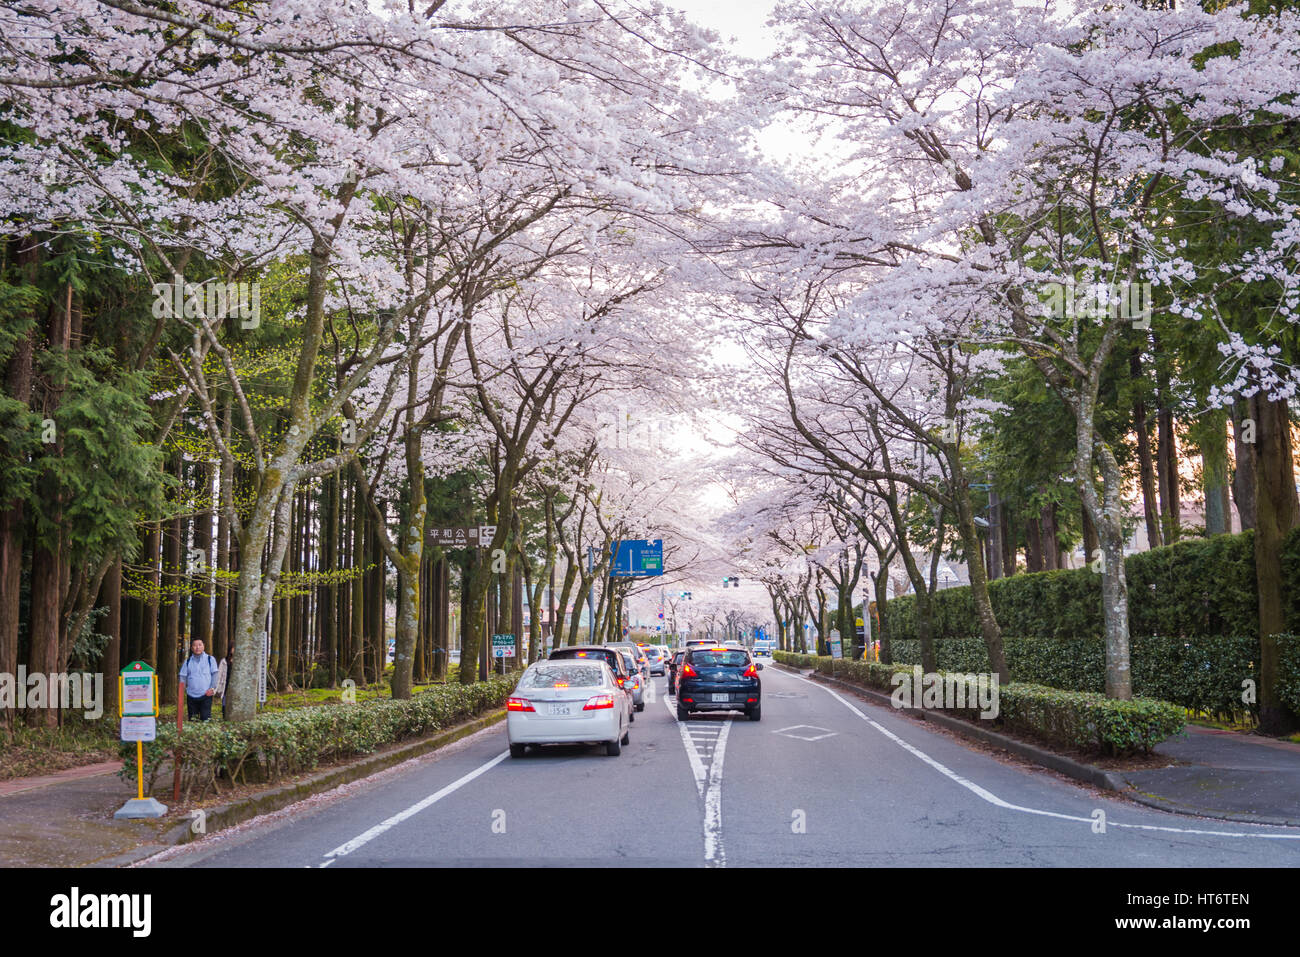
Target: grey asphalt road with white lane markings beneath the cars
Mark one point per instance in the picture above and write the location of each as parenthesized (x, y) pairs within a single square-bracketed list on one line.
[(825, 780)]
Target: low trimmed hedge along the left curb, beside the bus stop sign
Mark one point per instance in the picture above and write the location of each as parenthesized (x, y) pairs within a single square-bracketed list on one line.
[(287, 743)]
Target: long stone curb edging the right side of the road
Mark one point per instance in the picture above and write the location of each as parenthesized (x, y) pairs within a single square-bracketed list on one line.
[(1089, 774)]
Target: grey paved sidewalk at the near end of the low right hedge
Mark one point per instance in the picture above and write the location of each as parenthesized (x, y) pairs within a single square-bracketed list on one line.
[(1225, 774)]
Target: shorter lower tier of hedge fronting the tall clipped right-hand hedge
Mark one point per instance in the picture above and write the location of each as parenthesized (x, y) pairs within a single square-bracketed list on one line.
[(1203, 674)]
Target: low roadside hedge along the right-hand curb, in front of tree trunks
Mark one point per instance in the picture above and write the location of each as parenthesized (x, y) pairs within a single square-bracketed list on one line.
[(1072, 720)]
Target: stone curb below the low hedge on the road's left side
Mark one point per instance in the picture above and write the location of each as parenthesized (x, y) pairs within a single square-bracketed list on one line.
[(267, 802)]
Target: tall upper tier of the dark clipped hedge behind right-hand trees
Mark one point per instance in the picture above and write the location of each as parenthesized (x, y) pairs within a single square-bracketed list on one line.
[(1185, 591)]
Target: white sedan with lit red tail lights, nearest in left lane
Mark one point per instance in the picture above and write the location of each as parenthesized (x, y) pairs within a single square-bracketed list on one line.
[(569, 701)]
